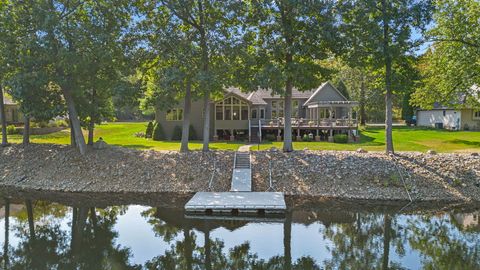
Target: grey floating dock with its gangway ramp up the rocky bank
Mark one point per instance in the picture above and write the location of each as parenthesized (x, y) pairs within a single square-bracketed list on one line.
[(240, 199)]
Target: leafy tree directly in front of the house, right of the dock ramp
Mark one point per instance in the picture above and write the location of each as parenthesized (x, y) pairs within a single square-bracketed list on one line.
[(284, 39)]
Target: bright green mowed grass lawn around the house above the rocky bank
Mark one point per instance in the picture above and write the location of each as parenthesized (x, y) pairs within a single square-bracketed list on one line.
[(372, 139)]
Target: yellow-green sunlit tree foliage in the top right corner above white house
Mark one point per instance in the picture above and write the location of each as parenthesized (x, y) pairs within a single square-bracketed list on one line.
[(451, 65)]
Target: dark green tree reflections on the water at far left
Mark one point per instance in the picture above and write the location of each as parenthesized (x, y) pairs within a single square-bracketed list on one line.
[(90, 244)]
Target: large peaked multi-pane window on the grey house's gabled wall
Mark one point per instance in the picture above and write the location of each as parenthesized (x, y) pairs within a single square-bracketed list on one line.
[(231, 108)]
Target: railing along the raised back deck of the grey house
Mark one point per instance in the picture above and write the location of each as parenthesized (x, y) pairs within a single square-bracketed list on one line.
[(314, 123)]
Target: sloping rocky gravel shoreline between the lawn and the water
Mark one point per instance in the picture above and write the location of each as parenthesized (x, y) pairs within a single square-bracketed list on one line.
[(332, 174)]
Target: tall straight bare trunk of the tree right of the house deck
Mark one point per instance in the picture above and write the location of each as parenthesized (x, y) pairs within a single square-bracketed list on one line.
[(388, 81)]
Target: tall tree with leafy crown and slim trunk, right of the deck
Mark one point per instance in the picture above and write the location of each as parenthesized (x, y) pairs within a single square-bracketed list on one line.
[(381, 32)]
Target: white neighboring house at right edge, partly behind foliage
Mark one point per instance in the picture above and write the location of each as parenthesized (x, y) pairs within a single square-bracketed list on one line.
[(449, 118)]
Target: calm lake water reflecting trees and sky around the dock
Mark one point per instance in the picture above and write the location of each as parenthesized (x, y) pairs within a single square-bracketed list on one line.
[(143, 233)]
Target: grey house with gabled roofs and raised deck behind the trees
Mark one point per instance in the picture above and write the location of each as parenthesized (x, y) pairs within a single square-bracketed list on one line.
[(320, 113)]
